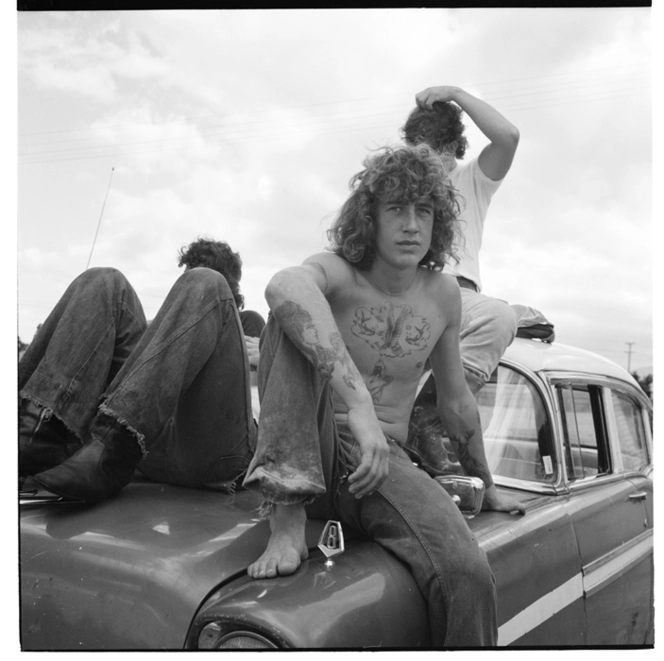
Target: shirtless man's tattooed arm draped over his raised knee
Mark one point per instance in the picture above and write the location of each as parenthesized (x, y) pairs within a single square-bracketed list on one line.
[(296, 297)]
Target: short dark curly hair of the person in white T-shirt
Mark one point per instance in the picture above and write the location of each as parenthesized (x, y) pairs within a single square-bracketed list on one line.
[(441, 128)]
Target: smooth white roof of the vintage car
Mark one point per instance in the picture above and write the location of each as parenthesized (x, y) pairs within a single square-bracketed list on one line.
[(540, 356)]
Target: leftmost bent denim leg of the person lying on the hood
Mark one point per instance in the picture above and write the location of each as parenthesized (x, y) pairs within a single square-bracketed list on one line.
[(81, 346)]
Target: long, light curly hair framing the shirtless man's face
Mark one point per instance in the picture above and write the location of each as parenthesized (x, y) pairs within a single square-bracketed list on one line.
[(407, 173)]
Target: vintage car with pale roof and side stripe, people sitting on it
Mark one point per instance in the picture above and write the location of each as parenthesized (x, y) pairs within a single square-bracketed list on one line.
[(162, 567)]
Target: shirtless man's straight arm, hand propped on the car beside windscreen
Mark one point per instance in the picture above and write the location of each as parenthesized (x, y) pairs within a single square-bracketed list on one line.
[(458, 410)]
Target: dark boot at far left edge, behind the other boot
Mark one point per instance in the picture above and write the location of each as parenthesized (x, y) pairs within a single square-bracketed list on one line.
[(43, 441)]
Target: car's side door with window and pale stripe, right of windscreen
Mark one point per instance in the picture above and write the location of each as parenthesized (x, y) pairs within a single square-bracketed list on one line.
[(608, 508)]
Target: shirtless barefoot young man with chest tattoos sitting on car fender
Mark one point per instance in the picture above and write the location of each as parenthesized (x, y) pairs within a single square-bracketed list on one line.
[(341, 359)]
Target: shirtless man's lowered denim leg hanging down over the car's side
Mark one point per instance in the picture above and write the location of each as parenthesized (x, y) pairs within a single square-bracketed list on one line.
[(415, 518)]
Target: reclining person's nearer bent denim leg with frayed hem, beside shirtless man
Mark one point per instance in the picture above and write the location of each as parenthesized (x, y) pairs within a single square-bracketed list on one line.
[(184, 390)]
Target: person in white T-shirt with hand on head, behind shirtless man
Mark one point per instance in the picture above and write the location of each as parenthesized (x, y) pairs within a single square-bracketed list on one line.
[(488, 325)]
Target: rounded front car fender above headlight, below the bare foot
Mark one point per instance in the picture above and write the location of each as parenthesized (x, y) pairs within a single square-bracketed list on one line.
[(365, 599)]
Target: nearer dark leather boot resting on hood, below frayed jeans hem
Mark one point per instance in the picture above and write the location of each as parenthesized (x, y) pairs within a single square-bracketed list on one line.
[(98, 470)]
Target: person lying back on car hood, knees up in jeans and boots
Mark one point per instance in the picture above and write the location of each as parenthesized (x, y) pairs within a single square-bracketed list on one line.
[(101, 392)]
